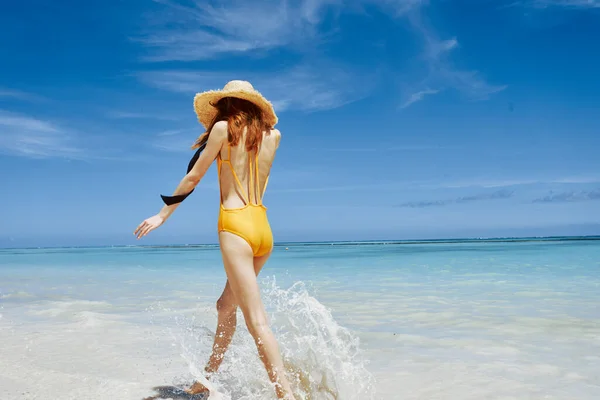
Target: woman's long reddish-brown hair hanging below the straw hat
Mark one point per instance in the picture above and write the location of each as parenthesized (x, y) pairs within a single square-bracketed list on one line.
[(239, 114)]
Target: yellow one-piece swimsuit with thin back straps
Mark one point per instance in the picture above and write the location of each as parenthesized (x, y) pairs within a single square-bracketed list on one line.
[(250, 221)]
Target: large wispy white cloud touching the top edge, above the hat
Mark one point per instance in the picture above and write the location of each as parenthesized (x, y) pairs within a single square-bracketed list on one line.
[(196, 30)]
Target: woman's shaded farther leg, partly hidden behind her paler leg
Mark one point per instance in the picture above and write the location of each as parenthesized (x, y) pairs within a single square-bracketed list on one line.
[(226, 325)]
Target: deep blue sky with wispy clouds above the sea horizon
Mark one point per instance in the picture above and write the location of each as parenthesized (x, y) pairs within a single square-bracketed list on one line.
[(399, 118)]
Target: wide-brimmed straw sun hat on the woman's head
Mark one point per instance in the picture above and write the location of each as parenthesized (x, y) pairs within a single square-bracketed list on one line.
[(239, 89)]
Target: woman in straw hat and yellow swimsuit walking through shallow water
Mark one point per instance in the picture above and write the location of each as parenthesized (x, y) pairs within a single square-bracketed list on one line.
[(240, 136)]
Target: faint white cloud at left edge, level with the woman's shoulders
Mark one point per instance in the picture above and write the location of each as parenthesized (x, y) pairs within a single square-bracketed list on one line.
[(30, 137)]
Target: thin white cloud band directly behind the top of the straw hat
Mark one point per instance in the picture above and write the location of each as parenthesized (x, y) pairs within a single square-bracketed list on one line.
[(302, 88)]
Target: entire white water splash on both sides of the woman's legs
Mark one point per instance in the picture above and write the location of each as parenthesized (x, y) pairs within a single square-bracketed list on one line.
[(323, 359)]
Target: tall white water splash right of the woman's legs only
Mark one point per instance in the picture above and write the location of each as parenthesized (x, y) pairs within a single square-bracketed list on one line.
[(324, 356)]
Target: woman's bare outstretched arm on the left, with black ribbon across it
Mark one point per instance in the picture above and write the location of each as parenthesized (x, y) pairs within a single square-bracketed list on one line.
[(213, 146)]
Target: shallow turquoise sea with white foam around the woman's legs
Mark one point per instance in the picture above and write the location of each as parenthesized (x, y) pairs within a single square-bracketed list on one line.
[(453, 320)]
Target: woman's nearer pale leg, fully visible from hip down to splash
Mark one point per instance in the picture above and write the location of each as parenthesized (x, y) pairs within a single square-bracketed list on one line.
[(239, 266)]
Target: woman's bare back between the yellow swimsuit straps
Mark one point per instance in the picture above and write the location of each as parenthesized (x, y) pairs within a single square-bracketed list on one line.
[(241, 161)]
